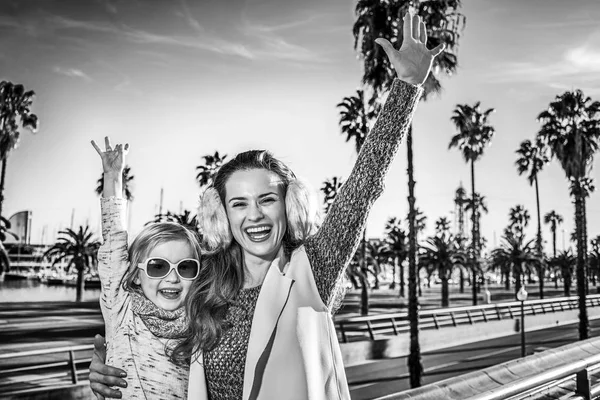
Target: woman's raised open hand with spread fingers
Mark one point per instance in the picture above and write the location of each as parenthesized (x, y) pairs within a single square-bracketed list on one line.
[(413, 61)]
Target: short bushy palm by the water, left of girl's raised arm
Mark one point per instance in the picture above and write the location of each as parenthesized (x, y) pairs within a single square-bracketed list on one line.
[(81, 250)]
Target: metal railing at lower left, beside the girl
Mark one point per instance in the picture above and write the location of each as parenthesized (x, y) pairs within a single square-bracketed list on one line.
[(56, 369)]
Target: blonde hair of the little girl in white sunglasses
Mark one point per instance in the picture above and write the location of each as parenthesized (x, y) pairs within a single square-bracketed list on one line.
[(151, 236)]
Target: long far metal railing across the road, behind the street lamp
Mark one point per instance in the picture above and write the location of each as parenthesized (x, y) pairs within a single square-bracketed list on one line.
[(368, 327)]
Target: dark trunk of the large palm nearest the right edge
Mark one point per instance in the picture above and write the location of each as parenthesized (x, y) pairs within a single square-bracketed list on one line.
[(584, 332)]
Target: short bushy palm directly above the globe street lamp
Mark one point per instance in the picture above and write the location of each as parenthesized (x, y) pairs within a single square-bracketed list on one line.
[(514, 254)]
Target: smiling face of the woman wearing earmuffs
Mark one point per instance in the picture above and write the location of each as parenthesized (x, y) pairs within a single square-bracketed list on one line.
[(255, 207)]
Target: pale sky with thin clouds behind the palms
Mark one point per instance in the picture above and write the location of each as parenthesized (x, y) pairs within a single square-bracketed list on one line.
[(178, 80)]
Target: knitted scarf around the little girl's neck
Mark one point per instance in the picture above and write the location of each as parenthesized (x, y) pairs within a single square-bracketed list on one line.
[(162, 324)]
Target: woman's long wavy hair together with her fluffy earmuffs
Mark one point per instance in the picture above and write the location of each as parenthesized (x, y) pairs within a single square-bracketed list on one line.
[(222, 274)]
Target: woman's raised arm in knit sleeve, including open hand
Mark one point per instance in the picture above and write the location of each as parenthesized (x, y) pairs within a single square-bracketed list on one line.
[(331, 248)]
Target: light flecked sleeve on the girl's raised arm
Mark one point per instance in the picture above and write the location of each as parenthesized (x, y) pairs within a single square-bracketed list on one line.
[(112, 256)]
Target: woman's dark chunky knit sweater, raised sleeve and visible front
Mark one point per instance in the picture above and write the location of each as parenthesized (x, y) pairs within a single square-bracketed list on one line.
[(330, 250)]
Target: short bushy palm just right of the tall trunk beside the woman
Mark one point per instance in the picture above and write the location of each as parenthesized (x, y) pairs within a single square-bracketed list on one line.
[(438, 253)]
